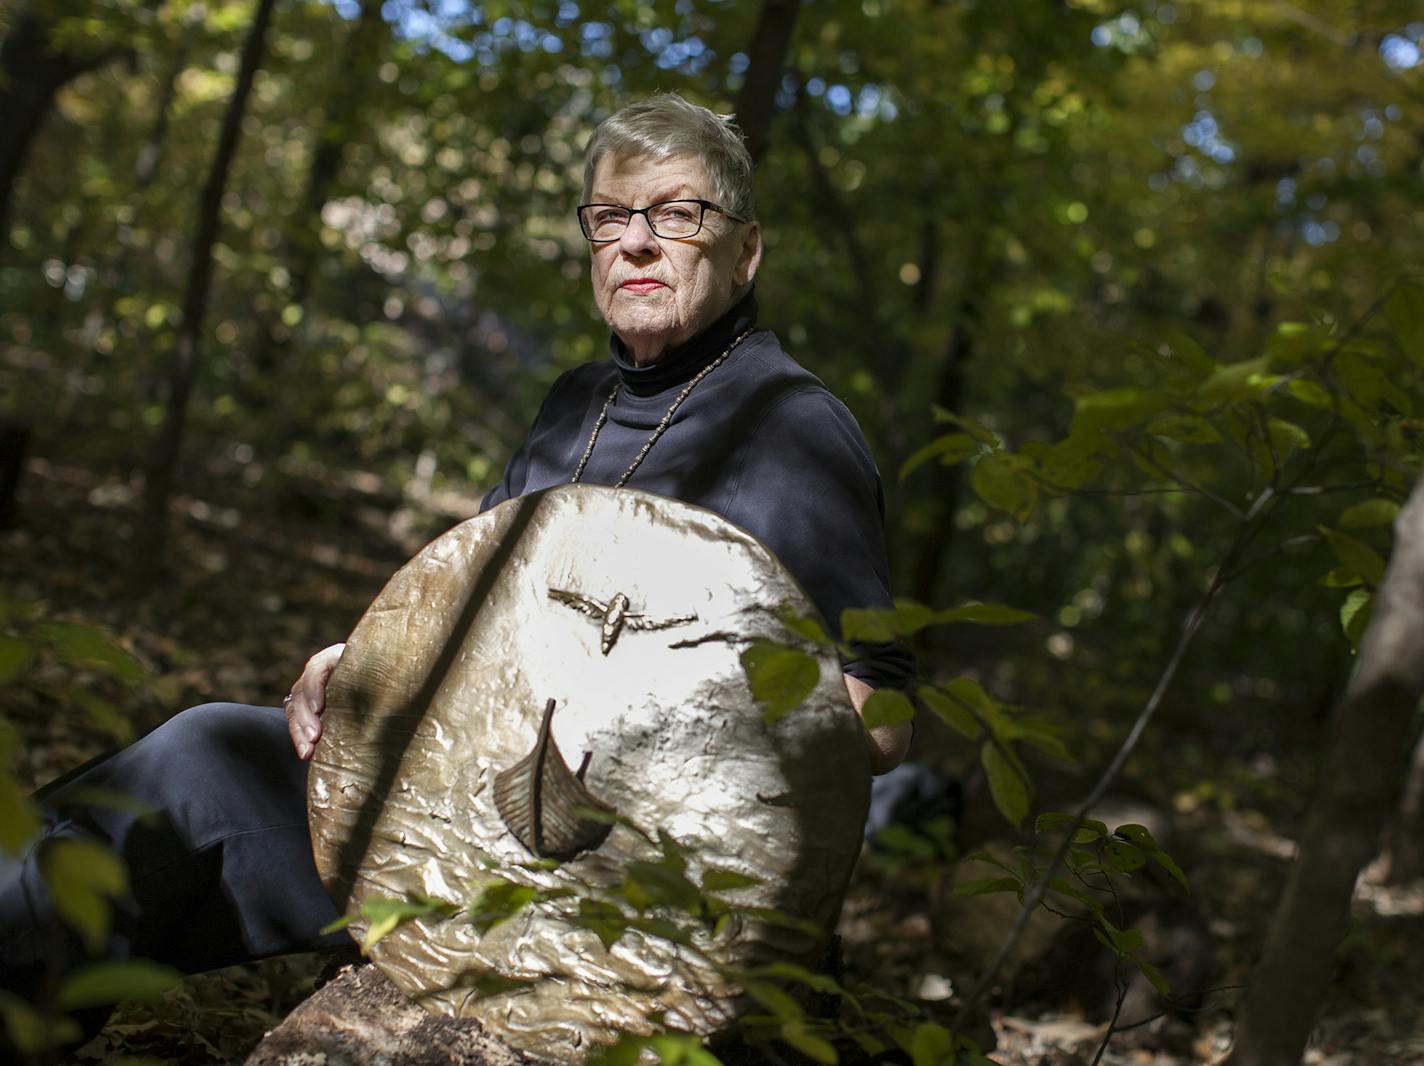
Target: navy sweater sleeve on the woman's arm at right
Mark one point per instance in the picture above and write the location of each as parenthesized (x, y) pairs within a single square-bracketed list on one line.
[(810, 490)]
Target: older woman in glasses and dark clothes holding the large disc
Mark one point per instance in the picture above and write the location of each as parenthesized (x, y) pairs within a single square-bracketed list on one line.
[(694, 403)]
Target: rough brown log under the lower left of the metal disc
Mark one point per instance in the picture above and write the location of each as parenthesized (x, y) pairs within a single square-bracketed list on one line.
[(362, 1018)]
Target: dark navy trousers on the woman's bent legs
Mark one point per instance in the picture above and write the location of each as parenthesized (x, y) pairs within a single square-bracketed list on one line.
[(220, 872)]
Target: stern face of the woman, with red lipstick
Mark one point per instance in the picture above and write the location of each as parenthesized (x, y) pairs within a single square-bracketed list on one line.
[(659, 292)]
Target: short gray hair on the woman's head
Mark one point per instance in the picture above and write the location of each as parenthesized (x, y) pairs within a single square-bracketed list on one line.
[(664, 126)]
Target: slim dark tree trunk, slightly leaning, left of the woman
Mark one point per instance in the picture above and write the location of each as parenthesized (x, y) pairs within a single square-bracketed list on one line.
[(149, 554)]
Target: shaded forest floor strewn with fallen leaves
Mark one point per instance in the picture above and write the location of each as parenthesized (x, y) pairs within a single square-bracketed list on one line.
[(253, 591)]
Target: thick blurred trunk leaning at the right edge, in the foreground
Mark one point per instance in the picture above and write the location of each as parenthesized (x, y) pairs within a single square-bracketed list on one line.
[(1358, 791)]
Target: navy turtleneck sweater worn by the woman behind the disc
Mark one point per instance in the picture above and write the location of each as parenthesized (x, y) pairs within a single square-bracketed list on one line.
[(761, 442)]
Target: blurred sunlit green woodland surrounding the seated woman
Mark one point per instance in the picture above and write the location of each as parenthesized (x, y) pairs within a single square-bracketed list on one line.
[(1127, 294)]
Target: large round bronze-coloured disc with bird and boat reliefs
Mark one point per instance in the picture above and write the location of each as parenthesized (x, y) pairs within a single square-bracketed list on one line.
[(444, 685)]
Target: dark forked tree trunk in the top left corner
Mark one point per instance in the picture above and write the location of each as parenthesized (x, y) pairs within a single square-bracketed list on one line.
[(32, 72)]
